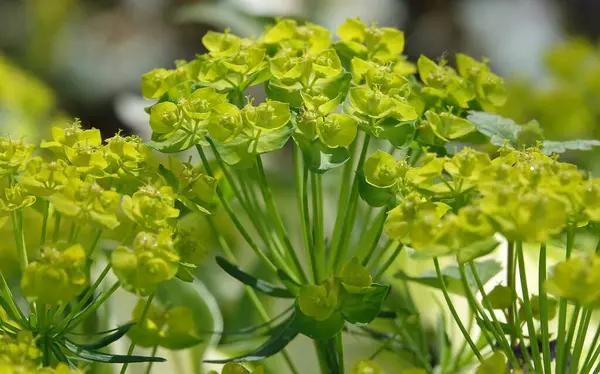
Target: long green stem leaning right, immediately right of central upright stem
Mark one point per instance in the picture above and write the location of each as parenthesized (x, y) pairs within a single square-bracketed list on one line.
[(339, 252)]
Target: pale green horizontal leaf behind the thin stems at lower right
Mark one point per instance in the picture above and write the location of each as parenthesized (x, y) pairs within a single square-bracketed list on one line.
[(485, 269)]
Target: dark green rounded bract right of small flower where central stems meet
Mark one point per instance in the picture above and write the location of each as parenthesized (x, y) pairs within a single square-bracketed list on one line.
[(363, 307)]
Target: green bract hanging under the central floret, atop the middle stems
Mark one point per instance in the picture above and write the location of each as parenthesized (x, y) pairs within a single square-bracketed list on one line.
[(318, 157)]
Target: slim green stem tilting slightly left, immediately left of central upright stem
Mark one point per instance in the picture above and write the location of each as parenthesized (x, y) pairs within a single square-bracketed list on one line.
[(301, 176)]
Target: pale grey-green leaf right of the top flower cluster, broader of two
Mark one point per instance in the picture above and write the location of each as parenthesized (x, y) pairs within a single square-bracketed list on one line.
[(496, 127)]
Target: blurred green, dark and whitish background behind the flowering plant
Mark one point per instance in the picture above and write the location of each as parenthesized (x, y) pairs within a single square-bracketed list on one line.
[(61, 59)]
